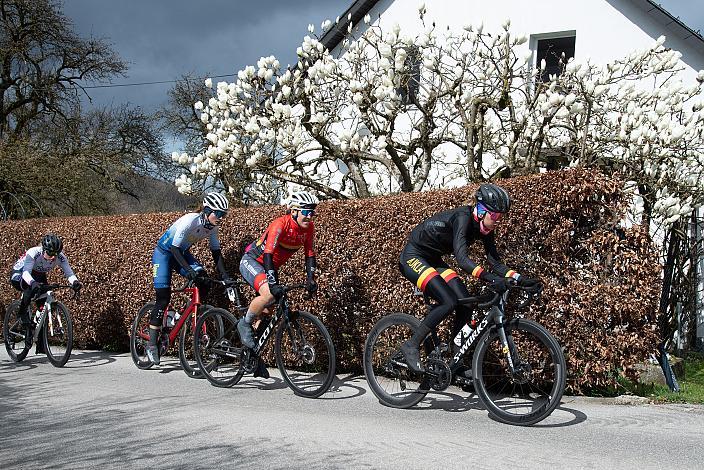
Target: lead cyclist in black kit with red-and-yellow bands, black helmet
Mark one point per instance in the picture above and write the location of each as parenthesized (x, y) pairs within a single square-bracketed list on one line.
[(450, 233)]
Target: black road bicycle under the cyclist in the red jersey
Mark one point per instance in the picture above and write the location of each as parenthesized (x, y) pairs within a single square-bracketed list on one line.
[(305, 354)]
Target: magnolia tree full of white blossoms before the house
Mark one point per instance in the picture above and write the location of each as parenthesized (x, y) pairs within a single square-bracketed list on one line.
[(392, 113)]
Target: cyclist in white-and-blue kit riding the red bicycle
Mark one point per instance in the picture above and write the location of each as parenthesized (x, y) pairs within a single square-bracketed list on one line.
[(172, 254)]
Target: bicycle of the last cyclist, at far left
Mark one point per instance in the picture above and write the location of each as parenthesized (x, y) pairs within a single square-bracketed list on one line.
[(51, 324)]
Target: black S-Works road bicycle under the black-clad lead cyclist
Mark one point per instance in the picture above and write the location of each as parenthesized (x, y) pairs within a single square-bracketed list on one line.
[(517, 368)]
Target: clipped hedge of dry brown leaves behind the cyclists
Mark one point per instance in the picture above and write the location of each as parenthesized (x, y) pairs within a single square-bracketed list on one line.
[(601, 282)]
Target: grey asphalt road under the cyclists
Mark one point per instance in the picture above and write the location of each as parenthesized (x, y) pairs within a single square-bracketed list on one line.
[(101, 411)]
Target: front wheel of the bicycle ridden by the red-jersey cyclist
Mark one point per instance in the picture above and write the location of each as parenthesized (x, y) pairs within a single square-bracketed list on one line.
[(305, 354)]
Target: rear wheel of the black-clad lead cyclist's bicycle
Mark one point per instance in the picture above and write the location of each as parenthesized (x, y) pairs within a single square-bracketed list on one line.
[(385, 366)]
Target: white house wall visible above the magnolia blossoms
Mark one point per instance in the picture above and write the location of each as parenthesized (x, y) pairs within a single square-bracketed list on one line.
[(605, 30)]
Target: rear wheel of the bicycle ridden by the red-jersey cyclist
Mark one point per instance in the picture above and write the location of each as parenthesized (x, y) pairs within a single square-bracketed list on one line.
[(218, 349)]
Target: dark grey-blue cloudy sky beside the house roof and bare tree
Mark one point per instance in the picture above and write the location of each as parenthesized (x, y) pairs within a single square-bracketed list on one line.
[(164, 39)]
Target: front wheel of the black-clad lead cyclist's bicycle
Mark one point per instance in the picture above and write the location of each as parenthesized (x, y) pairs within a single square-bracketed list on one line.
[(532, 389)]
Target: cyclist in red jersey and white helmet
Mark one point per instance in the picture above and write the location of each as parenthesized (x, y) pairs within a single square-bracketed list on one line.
[(263, 257)]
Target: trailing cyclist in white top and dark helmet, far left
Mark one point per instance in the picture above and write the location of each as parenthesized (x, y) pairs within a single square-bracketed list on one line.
[(30, 270)]
